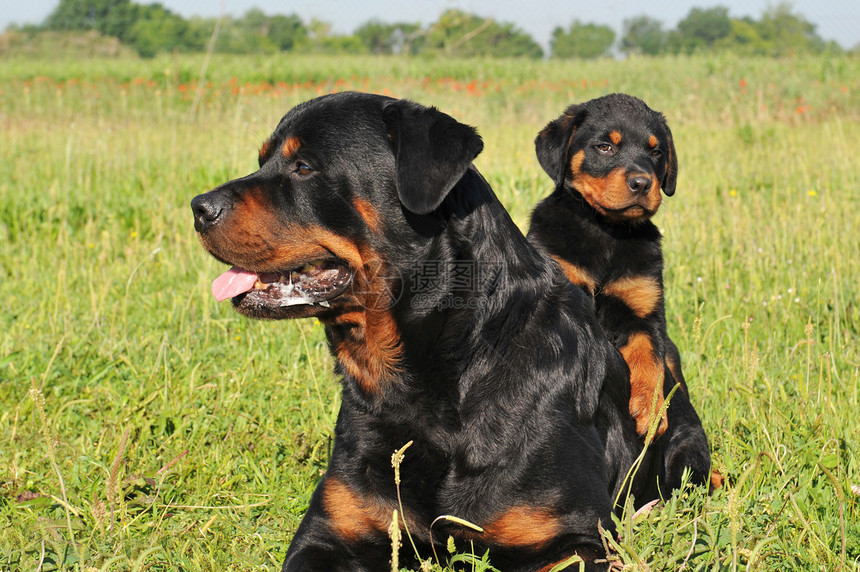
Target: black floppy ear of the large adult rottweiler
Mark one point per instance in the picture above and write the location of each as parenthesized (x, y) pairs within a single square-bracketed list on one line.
[(432, 151)]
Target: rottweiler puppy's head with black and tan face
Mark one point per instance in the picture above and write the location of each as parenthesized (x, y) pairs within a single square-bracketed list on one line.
[(614, 151)]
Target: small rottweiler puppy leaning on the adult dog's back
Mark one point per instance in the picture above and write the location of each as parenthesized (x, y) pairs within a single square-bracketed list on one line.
[(609, 158)]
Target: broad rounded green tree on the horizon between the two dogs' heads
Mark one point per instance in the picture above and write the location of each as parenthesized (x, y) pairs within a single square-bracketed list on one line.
[(457, 33)]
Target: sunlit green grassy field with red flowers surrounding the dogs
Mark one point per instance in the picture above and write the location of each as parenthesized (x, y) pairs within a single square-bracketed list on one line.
[(144, 426)]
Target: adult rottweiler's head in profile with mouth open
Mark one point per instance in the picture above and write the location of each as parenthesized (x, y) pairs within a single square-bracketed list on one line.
[(316, 229)]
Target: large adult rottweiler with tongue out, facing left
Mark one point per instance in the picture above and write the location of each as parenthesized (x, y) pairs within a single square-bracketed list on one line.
[(449, 330)]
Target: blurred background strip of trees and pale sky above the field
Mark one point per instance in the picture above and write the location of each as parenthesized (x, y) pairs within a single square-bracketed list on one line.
[(534, 29)]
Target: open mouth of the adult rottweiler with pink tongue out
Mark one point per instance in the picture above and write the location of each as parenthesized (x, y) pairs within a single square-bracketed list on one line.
[(315, 282)]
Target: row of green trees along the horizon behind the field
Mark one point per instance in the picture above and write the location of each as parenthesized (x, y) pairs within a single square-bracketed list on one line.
[(152, 28)]
